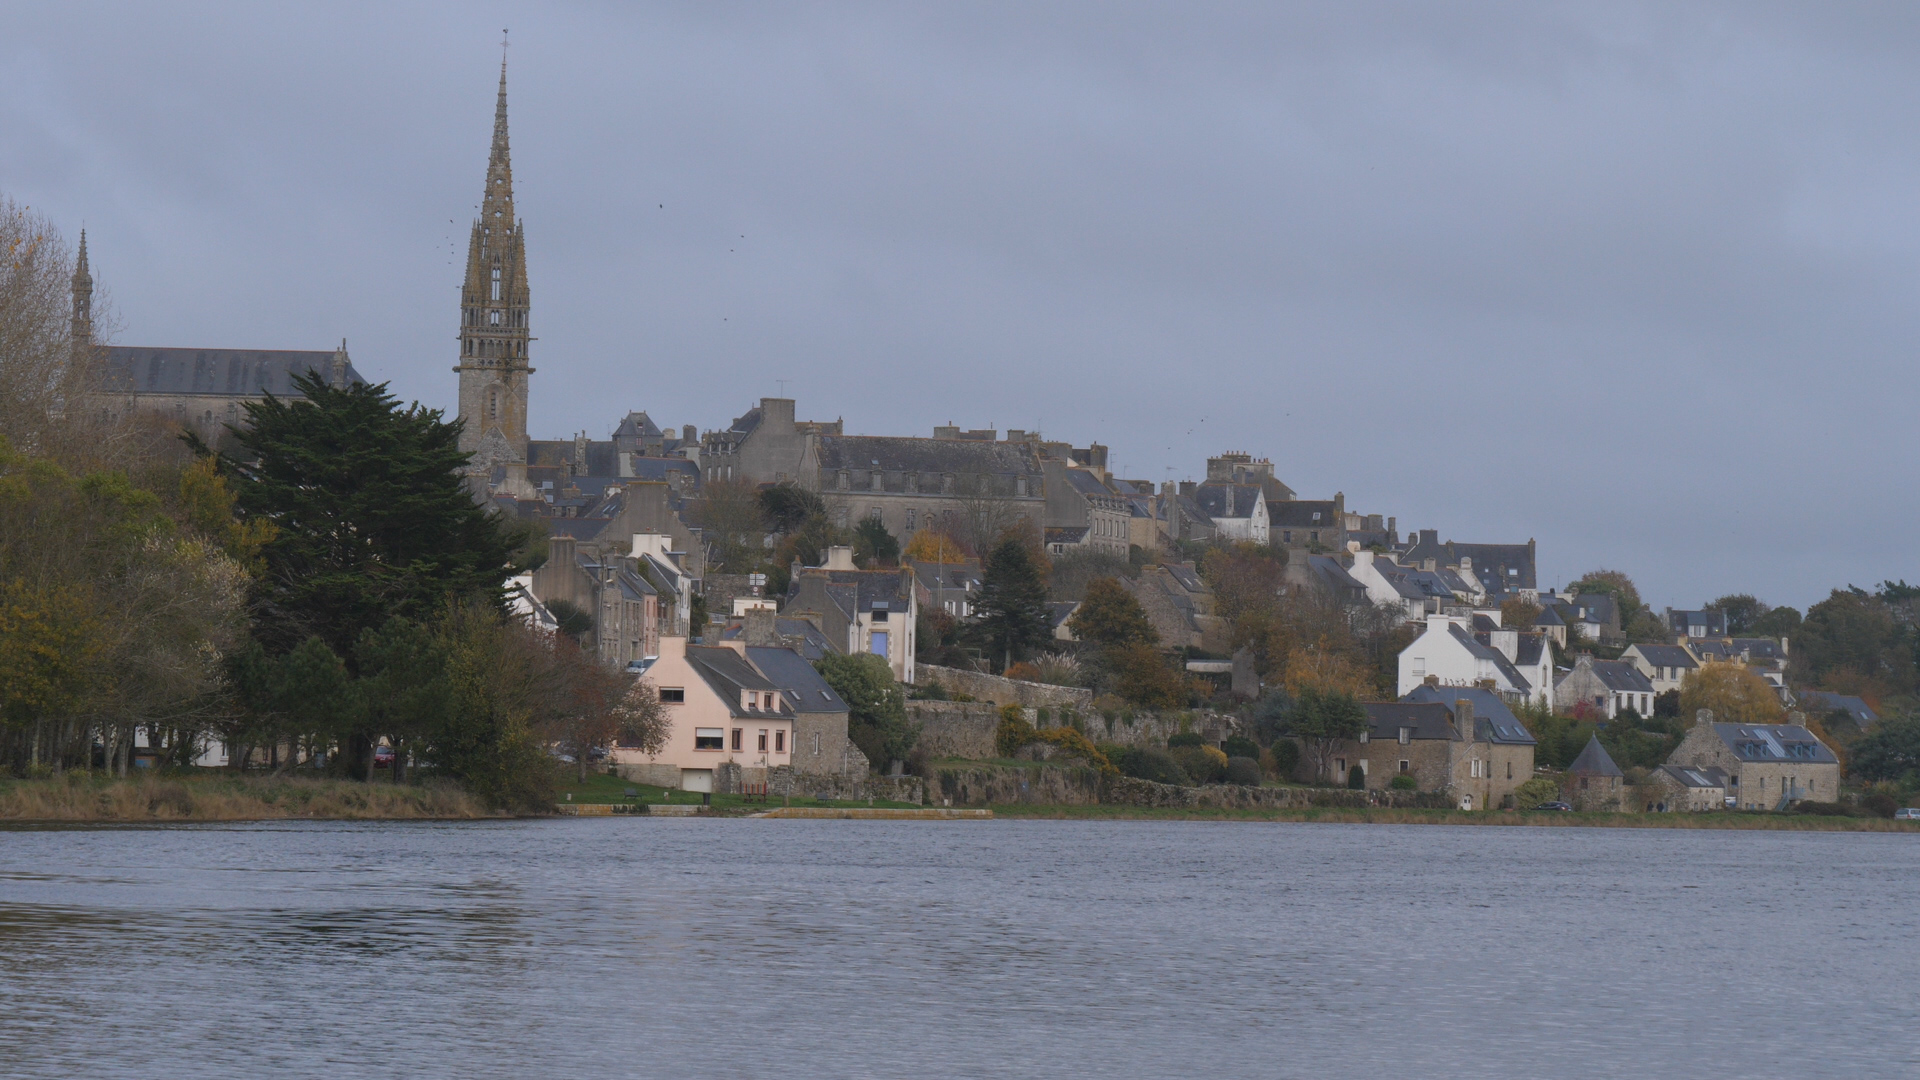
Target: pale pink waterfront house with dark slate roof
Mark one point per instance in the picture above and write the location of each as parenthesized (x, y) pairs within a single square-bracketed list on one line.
[(723, 710)]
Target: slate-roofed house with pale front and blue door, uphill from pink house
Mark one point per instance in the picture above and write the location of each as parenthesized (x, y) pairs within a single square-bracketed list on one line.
[(861, 612)]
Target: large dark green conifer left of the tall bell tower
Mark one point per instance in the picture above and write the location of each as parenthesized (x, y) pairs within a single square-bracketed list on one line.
[(370, 510)]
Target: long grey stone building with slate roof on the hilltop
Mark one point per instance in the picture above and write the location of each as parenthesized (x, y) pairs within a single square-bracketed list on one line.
[(971, 489)]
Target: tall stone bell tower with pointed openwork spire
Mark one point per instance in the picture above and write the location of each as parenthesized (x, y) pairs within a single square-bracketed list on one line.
[(494, 331)]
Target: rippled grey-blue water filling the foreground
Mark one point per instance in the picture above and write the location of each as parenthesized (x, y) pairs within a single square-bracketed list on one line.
[(813, 948)]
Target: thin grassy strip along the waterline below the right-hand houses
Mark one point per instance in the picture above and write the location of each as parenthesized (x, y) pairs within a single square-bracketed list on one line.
[(1383, 816)]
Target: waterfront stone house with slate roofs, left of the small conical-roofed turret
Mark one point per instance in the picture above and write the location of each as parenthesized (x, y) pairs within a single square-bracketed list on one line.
[(1445, 743)]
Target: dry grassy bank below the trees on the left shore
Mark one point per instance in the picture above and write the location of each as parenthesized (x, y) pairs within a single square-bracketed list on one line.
[(228, 798)]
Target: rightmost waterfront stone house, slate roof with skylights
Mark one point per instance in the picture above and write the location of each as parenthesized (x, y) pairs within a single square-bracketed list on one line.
[(1767, 766)]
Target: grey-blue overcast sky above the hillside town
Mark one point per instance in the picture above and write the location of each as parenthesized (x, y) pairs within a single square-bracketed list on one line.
[(1637, 282)]
